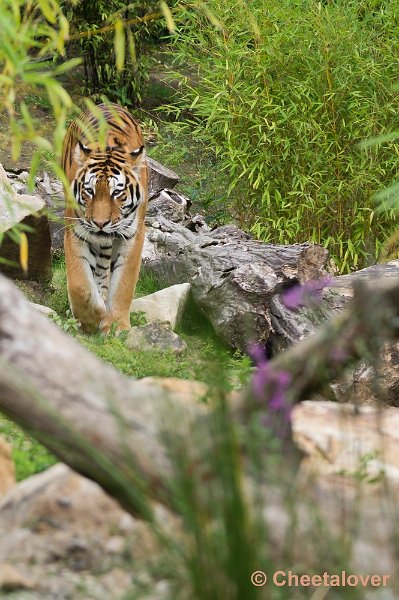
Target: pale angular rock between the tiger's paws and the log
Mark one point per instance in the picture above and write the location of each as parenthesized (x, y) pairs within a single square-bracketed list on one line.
[(167, 305)]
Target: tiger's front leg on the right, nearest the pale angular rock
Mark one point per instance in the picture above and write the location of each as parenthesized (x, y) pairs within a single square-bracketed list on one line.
[(125, 268)]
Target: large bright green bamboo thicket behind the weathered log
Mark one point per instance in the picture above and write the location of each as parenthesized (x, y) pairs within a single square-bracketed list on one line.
[(284, 92)]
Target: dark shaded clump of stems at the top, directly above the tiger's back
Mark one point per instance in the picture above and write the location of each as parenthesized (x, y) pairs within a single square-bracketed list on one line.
[(106, 32)]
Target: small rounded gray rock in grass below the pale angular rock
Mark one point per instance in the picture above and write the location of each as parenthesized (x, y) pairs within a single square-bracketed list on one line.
[(155, 337)]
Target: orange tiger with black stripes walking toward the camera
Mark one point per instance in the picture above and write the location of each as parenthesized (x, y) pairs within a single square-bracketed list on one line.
[(105, 209)]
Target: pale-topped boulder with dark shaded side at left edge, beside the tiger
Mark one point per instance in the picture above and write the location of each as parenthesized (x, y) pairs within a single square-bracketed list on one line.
[(16, 206)]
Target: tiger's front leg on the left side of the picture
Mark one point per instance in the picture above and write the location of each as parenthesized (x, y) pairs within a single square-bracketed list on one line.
[(85, 298)]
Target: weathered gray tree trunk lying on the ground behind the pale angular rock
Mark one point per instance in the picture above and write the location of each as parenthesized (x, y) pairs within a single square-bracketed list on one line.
[(233, 277)]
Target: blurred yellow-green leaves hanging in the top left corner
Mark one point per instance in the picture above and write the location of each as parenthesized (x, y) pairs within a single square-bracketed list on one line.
[(32, 39)]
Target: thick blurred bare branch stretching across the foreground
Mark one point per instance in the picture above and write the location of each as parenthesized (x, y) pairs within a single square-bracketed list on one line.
[(109, 427)]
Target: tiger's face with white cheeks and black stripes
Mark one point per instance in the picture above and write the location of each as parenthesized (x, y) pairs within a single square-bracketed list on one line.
[(107, 190)]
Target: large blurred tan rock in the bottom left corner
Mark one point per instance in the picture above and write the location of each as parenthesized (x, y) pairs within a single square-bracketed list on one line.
[(63, 537)]
